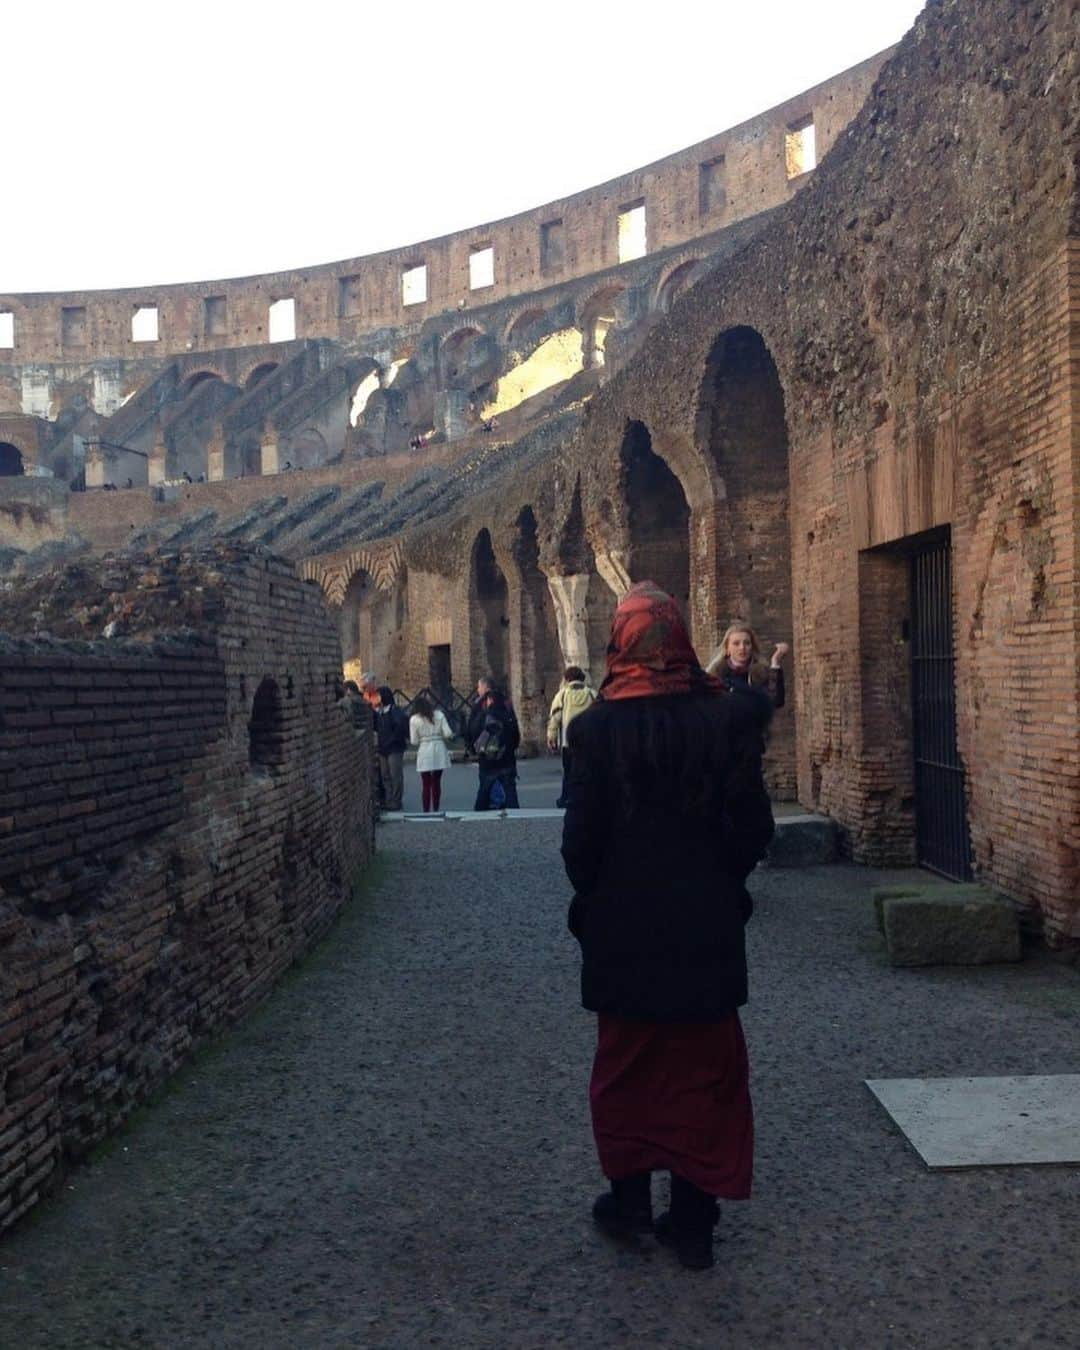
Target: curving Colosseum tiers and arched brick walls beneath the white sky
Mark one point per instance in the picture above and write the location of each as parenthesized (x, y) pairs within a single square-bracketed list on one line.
[(820, 372)]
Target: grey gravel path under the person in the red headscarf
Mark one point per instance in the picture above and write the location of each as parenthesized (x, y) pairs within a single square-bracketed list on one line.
[(395, 1151)]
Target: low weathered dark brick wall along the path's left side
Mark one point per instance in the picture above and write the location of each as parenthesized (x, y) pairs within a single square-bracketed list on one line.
[(155, 881)]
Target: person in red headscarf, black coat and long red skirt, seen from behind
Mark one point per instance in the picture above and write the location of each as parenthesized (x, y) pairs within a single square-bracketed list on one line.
[(668, 816)]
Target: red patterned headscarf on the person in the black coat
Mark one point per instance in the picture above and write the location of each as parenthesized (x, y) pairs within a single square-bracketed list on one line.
[(650, 651)]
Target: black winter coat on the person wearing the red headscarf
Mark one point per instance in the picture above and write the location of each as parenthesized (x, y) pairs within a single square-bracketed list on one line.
[(661, 902)]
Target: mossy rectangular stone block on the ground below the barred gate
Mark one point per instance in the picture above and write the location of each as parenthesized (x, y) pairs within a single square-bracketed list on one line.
[(947, 925)]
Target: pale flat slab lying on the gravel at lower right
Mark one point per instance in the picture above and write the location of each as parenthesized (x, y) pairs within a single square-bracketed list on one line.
[(986, 1123)]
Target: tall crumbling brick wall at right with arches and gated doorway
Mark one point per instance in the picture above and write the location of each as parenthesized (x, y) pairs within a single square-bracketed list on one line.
[(919, 303)]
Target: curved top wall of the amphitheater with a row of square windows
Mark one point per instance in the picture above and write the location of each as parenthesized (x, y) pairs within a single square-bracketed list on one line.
[(732, 176)]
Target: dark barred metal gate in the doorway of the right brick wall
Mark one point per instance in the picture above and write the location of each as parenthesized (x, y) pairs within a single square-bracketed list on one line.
[(942, 811)]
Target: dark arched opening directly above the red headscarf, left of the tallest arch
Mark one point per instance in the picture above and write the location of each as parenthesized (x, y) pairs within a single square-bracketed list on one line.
[(658, 515)]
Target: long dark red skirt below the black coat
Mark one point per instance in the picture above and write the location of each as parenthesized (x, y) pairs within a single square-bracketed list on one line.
[(674, 1097)]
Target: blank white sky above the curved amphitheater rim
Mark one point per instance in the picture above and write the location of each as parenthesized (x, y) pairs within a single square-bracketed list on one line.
[(152, 142)]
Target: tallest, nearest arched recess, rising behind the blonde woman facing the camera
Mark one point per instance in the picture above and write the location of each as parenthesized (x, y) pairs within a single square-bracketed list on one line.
[(743, 429)]
